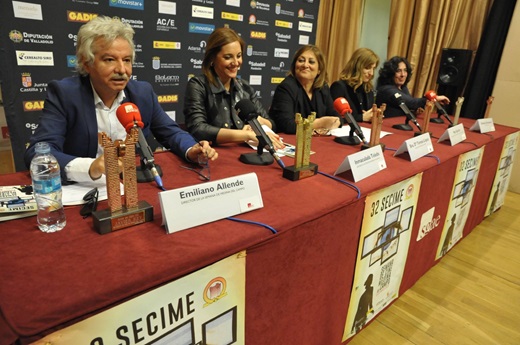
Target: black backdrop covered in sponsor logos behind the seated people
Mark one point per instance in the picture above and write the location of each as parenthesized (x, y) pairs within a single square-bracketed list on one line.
[(38, 39)]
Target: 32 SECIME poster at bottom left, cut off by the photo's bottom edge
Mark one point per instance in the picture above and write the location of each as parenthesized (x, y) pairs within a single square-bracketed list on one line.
[(205, 307)]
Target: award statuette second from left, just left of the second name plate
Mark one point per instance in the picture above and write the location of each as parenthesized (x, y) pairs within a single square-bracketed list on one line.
[(302, 167)]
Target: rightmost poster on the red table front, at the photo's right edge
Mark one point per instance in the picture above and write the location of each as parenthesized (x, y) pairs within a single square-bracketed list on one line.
[(503, 174)]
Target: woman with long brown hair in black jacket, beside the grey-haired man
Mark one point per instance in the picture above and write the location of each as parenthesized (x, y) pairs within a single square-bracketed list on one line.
[(209, 101)]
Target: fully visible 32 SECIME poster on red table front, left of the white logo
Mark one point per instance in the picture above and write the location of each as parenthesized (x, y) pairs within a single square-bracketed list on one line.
[(382, 251)]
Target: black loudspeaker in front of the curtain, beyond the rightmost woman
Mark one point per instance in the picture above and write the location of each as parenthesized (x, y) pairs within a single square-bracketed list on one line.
[(454, 66)]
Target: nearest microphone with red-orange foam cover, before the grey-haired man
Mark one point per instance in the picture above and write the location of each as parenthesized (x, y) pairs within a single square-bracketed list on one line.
[(130, 117)]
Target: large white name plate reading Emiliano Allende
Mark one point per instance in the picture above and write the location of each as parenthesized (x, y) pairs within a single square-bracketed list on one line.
[(190, 206)]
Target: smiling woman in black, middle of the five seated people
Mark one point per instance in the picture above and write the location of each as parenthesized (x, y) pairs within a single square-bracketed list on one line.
[(303, 91)]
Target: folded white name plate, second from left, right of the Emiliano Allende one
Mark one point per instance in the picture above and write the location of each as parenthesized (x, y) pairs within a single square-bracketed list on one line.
[(363, 163)]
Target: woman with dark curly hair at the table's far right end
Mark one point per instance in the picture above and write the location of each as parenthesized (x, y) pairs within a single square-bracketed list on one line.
[(392, 88)]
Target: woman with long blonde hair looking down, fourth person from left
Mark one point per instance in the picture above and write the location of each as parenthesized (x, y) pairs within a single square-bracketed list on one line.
[(355, 83)]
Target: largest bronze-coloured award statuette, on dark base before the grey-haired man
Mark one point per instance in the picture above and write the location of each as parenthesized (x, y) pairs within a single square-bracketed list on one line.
[(133, 212)]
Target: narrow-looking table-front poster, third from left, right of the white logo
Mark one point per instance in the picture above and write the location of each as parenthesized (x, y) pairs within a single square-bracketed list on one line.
[(461, 198)]
